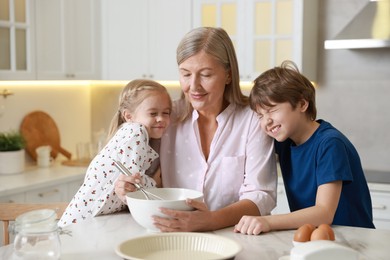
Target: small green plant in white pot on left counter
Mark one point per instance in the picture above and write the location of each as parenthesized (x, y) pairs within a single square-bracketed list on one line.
[(12, 158)]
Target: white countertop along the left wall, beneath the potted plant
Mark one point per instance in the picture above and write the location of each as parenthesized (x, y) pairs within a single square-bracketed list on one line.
[(35, 178)]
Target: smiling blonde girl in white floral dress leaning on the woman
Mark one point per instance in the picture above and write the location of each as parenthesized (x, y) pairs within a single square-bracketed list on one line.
[(144, 112)]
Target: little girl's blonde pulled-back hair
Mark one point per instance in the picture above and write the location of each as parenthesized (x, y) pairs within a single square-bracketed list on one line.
[(131, 97)]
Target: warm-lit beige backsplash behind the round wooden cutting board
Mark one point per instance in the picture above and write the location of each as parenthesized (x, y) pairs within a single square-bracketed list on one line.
[(68, 105)]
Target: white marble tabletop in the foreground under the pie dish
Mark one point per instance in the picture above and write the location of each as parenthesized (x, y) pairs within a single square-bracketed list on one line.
[(96, 239)]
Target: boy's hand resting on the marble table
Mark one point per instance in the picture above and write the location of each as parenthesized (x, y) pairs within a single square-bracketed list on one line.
[(252, 225)]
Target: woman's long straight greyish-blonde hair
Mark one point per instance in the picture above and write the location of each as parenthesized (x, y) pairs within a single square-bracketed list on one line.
[(215, 42)]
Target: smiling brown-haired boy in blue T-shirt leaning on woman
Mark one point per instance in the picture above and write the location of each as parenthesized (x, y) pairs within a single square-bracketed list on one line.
[(321, 169)]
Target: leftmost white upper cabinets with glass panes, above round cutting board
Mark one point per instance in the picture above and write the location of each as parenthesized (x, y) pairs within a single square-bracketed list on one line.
[(50, 39)]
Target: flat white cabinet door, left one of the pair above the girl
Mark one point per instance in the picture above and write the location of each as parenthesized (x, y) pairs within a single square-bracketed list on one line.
[(124, 36)]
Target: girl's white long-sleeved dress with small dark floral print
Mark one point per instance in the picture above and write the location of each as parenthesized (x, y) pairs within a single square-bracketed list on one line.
[(96, 196)]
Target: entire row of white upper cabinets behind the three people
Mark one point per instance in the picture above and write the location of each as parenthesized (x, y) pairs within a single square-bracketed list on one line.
[(127, 39)]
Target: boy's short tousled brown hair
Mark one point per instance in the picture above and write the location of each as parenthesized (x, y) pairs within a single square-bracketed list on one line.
[(283, 84)]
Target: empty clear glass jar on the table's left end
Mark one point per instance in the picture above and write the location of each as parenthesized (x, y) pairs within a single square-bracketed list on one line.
[(37, 235)]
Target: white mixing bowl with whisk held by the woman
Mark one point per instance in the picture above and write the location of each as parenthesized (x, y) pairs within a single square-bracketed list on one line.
[(142, 209)]
